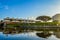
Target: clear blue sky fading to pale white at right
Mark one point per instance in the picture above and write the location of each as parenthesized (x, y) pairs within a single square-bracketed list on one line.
[(28, 8)]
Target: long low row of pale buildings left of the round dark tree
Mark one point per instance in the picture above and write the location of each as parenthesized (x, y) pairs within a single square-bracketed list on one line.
[(9, 20)]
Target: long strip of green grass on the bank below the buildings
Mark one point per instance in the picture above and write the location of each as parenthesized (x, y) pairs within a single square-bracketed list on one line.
[(33, 24)]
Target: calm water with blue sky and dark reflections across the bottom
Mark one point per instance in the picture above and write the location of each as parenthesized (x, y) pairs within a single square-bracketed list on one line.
[(29, 35)]
